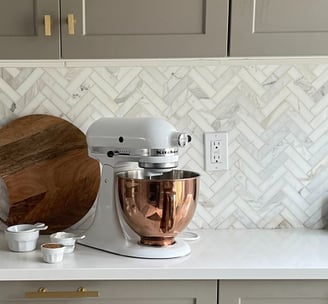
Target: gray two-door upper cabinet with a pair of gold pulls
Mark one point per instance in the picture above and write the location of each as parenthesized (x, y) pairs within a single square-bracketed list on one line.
[(105, 29)]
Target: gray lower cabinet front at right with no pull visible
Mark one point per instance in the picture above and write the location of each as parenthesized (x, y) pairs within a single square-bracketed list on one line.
[(273, 292)]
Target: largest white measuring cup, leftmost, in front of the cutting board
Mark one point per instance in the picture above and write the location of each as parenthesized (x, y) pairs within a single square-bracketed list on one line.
[(22, 237)]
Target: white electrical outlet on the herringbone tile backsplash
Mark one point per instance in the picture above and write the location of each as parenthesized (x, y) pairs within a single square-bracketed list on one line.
[(216, 151)]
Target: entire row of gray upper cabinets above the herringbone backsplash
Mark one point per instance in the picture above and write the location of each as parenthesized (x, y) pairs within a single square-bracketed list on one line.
[(119, 29)]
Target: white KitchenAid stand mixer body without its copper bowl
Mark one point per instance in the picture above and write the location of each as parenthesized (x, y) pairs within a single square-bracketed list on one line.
[(122, 144)]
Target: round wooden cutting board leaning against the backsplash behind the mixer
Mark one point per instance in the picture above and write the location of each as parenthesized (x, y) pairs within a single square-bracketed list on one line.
[(49, 176)]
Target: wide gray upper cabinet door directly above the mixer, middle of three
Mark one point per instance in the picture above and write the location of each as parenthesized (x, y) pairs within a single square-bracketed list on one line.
[(145, 28)]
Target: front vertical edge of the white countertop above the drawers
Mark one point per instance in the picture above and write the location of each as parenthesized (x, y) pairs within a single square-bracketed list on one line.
[(248, 274)]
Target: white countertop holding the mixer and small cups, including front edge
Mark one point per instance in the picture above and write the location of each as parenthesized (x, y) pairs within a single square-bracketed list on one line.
[(221, 254)]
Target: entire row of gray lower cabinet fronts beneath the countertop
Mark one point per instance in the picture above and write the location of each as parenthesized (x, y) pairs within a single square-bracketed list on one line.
[(166, 292)]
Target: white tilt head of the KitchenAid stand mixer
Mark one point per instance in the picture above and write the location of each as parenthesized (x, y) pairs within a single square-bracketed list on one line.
[(151, 142)]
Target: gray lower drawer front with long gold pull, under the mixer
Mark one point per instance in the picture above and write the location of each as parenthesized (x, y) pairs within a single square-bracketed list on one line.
[(113, 292)]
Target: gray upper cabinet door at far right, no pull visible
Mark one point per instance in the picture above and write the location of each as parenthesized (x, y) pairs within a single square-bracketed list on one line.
[(279, 27)]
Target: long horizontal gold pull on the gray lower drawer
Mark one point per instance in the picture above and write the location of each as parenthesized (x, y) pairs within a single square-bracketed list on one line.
[(44, 293)]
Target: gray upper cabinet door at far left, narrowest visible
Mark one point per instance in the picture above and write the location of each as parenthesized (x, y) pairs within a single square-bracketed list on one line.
[(22, 29)]
